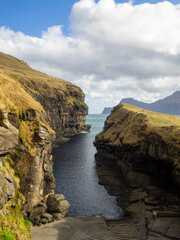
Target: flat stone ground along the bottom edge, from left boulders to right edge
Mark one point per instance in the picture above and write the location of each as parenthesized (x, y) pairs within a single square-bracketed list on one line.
[(96, 228)]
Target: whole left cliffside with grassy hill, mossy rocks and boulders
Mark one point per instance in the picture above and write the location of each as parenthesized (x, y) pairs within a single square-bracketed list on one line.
[(34, 108)]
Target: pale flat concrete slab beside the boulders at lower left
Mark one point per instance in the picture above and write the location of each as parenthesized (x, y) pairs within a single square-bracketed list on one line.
[(70, 228)]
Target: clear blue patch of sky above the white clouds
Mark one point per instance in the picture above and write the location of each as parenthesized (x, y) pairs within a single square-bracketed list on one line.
[(33, 16)]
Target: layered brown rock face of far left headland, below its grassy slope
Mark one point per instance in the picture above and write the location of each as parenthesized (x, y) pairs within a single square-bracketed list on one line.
[(65, 111)]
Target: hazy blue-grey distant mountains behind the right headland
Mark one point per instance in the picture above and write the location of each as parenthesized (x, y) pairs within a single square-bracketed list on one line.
[(169, 105)]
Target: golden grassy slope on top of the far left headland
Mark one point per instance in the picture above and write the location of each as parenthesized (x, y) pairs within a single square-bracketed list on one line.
[(37, 82)]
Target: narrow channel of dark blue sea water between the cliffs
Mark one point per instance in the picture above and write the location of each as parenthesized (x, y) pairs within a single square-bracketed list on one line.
[(76, 176)]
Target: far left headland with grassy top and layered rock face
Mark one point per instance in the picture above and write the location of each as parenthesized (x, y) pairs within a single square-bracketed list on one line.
[(63, 101)]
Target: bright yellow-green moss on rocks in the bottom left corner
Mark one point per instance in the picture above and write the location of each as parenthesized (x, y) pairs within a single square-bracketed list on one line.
[(12, 223)]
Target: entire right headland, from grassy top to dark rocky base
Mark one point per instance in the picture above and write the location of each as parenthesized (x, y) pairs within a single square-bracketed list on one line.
[(138, 161)]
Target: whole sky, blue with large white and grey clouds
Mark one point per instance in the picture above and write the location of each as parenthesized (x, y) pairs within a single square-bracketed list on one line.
[(111, 49)]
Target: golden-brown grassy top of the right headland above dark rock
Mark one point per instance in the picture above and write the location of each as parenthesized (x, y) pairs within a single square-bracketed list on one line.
[(128, 124)]
